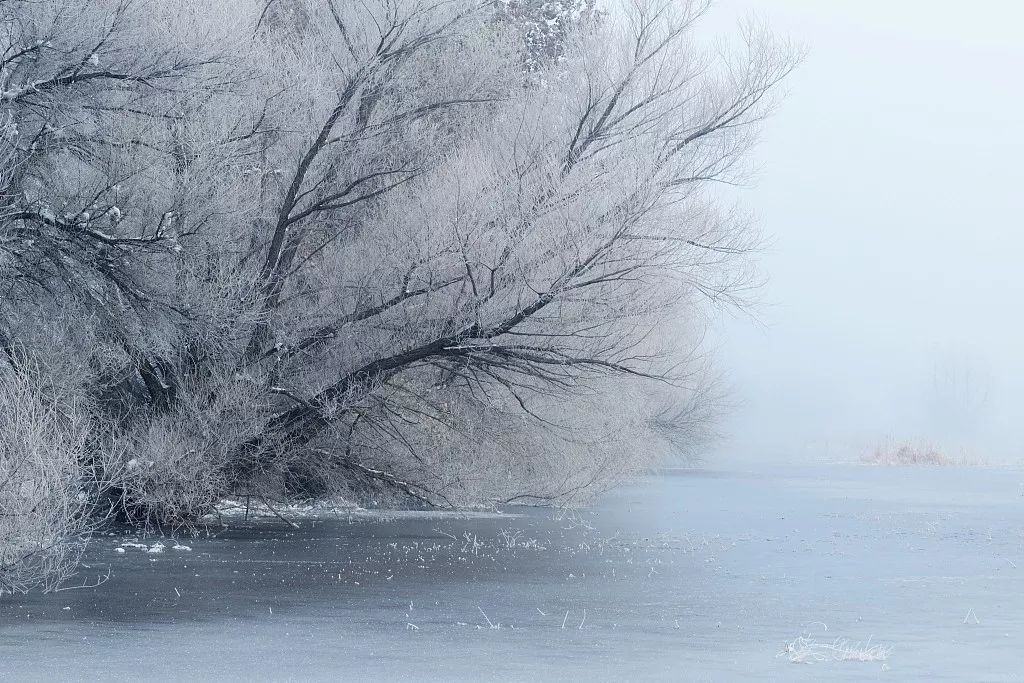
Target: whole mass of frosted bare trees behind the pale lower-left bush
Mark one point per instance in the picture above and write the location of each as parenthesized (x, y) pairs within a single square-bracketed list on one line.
[(318, 247)]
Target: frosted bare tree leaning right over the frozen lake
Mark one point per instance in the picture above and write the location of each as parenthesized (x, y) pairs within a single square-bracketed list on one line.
[(549, 249)]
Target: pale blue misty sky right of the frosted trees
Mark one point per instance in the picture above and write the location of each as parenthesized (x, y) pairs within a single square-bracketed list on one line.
[(890, 184)]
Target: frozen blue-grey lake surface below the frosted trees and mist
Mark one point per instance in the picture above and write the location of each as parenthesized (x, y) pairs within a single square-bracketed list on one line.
[(695, 575)]
